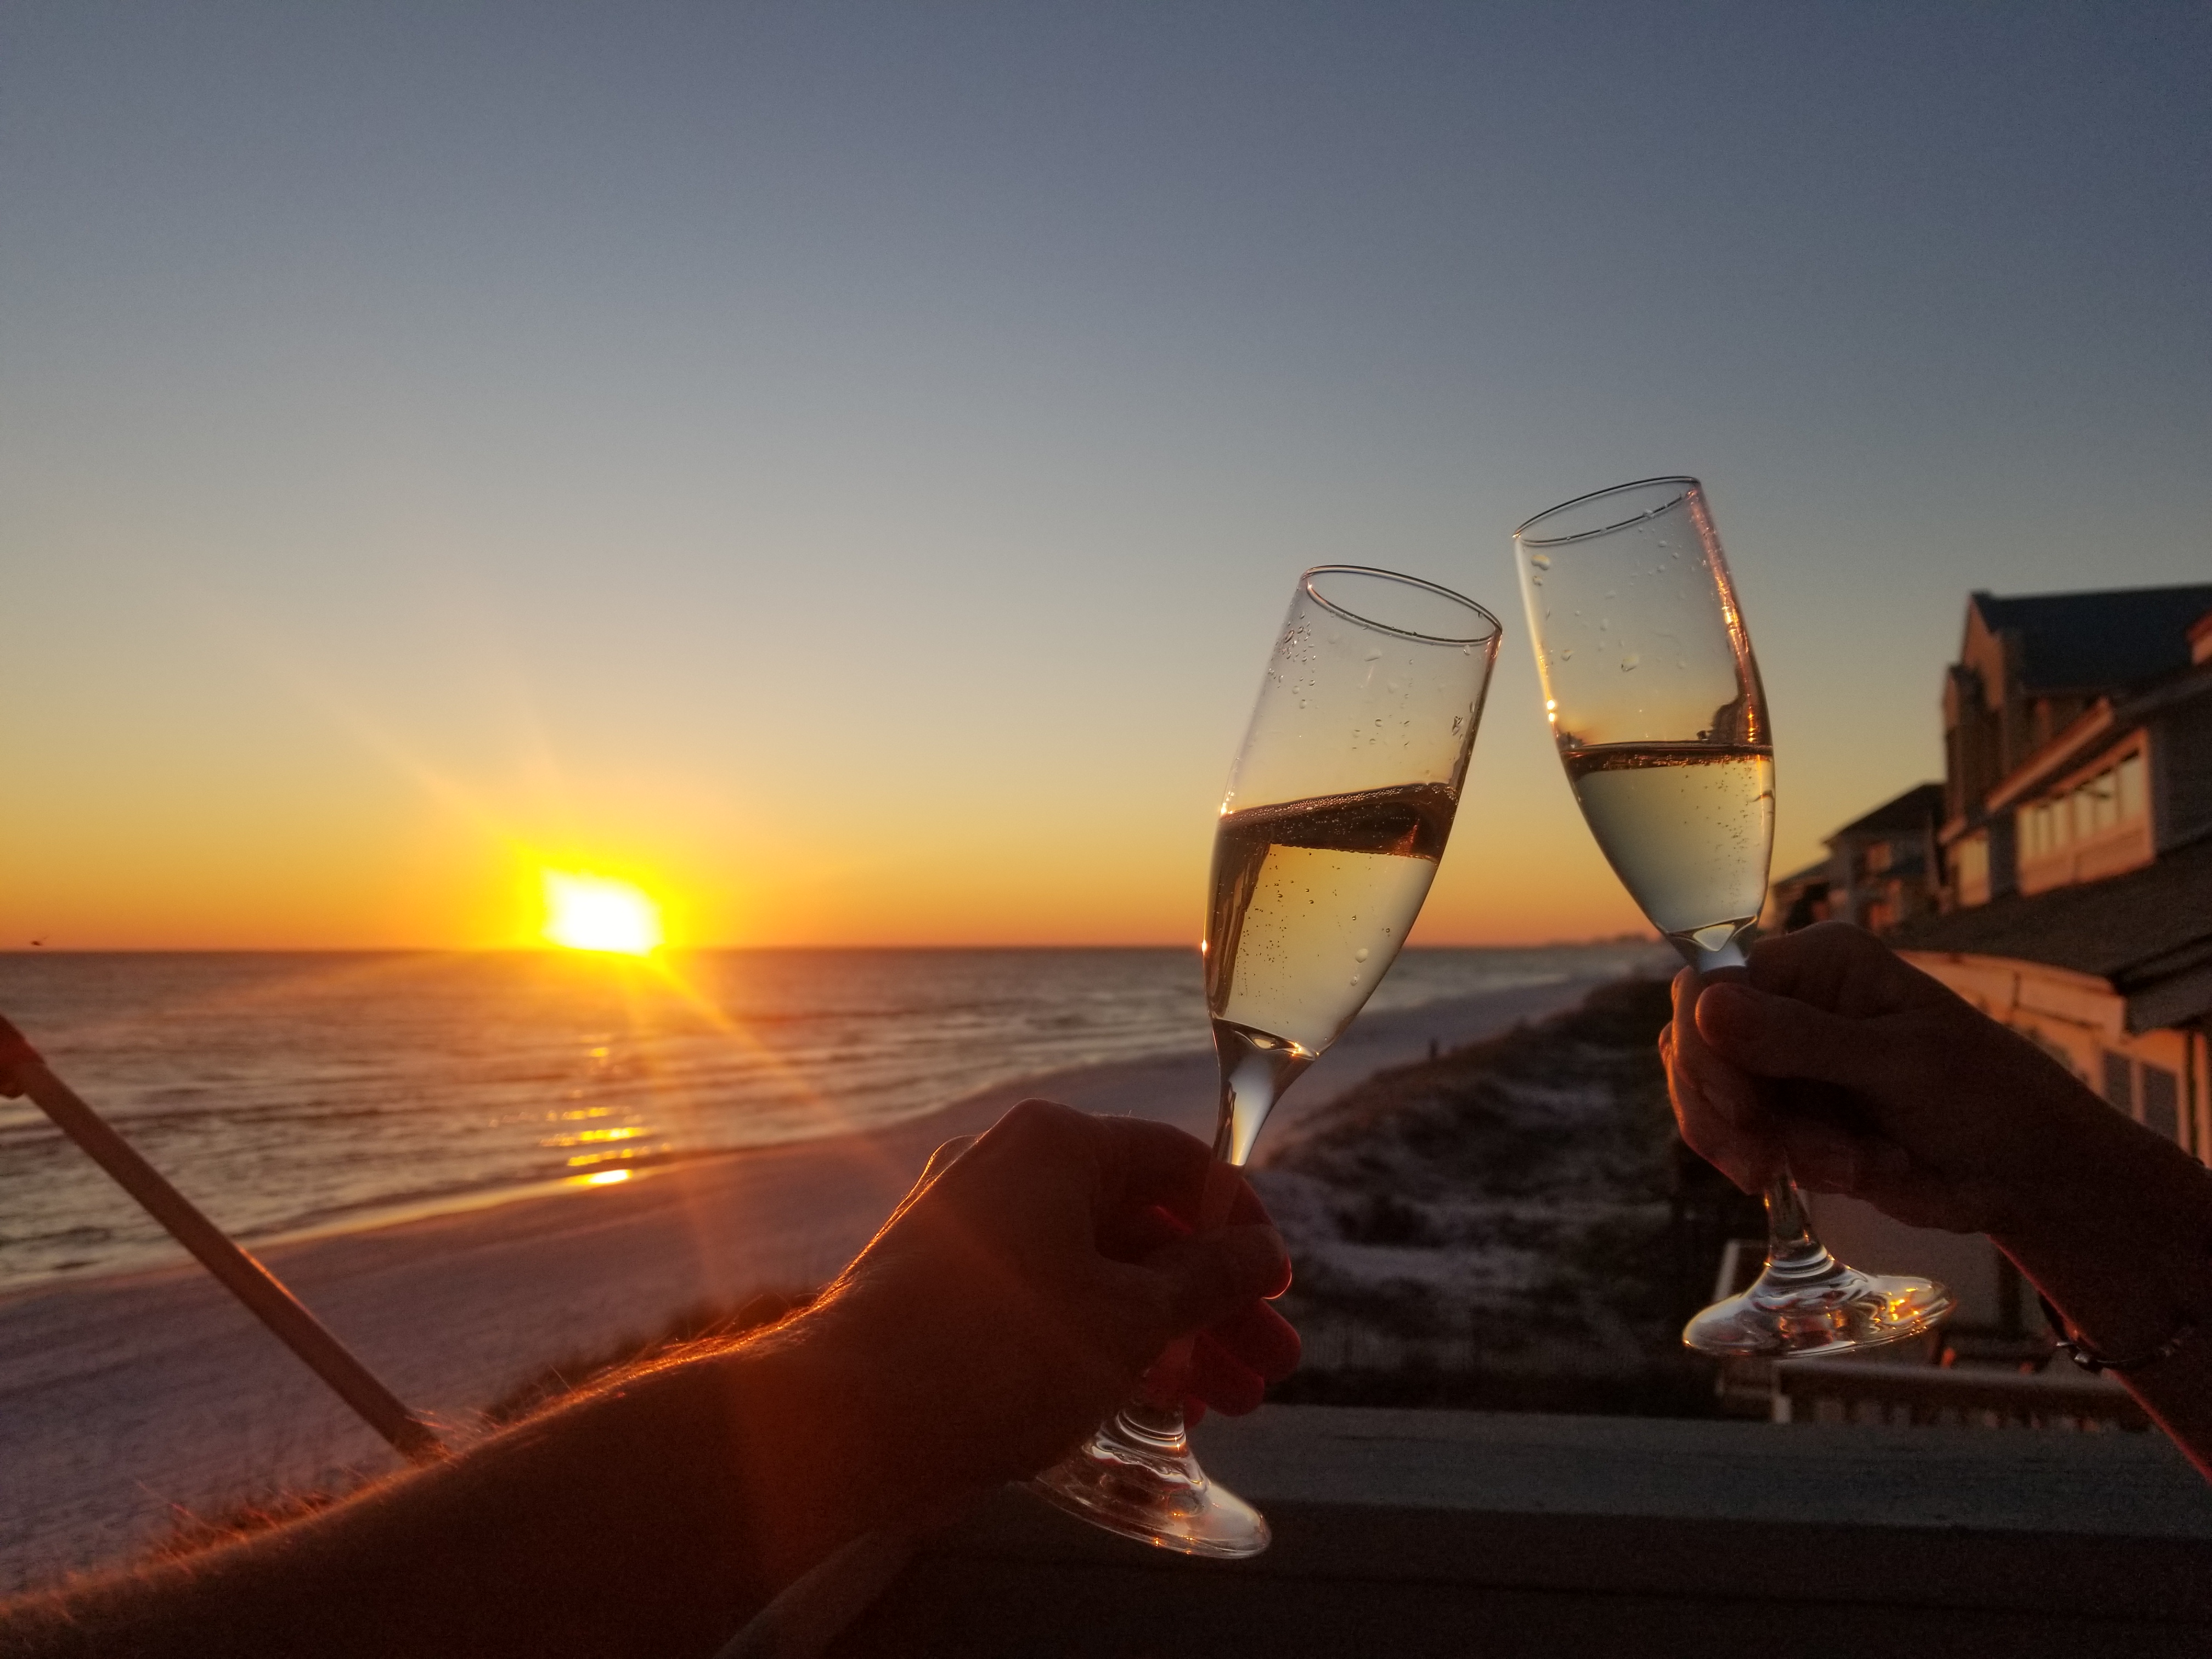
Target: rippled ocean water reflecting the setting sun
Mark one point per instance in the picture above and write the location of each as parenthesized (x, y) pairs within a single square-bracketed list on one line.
[(324, 1092)]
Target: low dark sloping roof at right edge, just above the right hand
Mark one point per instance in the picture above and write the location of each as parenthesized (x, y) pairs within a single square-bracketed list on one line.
[(2133, 930)]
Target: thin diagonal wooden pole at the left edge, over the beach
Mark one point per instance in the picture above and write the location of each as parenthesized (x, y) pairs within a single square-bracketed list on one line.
[(23, 1072)]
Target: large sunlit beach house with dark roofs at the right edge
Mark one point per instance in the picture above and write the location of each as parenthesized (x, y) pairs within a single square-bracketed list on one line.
[(2078, 839)]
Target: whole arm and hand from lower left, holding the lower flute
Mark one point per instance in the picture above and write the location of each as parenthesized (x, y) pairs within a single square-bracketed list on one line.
[(1005, 1308)]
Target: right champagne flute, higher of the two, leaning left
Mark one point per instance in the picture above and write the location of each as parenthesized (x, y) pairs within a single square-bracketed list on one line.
[(1662, 724)]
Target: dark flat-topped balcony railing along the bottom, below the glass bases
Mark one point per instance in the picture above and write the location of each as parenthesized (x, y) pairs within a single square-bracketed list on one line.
[(1421, 1534)]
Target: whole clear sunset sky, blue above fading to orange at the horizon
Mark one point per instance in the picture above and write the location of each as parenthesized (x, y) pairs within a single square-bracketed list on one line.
[(844, 466)]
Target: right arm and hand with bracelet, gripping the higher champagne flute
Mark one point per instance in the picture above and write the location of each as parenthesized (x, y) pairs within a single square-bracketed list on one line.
[(1906, 1096)]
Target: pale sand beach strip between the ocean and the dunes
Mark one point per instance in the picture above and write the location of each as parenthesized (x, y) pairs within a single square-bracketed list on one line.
[(132, 1399)]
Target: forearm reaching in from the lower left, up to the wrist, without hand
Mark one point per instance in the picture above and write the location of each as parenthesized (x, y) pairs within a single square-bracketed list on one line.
[(647, 1519)]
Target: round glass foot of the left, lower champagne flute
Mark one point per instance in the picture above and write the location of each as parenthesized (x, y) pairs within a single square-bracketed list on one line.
[(1138, 1479)]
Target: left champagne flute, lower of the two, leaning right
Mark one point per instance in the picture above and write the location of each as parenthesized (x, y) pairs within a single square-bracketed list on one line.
[(1337, 811)]
